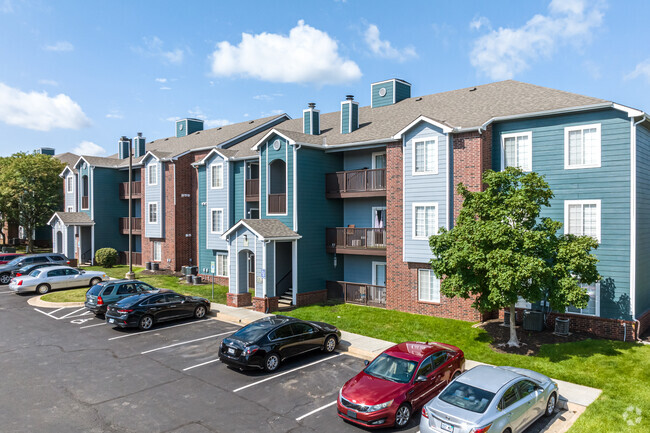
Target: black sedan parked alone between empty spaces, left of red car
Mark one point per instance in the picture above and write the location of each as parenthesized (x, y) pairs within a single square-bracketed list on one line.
[(267, 342)]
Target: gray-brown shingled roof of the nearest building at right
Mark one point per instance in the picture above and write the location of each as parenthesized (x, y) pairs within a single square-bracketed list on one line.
[(464, 108)]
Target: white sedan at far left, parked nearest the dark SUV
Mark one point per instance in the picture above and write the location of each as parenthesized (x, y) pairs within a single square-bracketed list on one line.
[(43, 280)]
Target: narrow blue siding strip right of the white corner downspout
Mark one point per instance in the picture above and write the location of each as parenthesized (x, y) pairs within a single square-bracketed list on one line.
[(642, 221)]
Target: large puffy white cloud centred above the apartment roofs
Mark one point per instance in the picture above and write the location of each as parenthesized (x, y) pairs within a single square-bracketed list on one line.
[(307, 55)]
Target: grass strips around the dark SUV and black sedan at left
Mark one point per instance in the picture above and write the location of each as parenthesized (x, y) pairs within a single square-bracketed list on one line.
[(160, 281)]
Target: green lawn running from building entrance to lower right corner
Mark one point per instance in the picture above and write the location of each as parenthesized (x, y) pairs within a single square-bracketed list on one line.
[(621, 370)]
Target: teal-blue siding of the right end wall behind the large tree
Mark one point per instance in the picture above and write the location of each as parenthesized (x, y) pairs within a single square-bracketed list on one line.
[(609, 183)]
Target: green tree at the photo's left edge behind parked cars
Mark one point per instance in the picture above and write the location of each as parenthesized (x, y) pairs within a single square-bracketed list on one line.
[(30, 188)]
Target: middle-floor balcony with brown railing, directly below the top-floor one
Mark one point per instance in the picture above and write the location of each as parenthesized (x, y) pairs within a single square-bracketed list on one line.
[(351, 240)]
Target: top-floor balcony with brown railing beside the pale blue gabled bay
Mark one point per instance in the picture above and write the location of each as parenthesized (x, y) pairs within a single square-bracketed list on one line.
[(356, 183)]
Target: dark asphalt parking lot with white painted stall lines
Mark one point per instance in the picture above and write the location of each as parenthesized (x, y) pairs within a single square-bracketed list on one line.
[(64, 370)]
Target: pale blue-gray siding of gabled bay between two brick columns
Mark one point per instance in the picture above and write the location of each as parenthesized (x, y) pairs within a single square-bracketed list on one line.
[(423, 189)]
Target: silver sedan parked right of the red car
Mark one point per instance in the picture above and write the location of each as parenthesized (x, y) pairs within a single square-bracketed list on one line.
[(490, 399)]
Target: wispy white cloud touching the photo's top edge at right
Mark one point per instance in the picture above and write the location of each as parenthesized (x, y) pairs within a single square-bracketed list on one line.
[(502, 53)]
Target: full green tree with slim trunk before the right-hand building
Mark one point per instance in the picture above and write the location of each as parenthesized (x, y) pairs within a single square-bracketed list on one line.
[(500, 249)]
